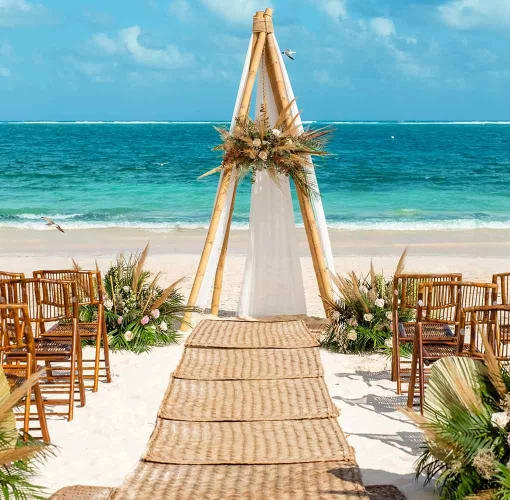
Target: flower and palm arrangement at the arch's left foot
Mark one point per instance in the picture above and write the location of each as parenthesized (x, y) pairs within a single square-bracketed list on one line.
[(140, 314)]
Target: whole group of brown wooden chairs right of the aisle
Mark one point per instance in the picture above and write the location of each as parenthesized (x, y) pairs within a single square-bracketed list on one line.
[(449, 317)]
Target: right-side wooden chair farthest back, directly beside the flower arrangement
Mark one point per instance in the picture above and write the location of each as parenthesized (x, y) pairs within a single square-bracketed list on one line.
[(405, 300)]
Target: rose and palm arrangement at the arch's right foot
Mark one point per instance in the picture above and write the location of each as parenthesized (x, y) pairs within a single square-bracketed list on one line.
[(361, 319)]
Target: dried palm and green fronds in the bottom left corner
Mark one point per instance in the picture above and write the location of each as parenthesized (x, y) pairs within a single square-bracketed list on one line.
[(18, 454)]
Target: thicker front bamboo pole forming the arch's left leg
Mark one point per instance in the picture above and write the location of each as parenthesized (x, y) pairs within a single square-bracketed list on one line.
[(225, 180)]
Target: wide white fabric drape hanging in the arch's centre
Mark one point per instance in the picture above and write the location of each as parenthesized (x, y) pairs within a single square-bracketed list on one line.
[(272, 282)]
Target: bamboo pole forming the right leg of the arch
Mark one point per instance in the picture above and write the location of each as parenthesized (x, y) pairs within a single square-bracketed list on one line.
[(314, 242)]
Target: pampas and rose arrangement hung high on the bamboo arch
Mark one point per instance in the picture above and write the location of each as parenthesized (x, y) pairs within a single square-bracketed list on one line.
[(255, 146)]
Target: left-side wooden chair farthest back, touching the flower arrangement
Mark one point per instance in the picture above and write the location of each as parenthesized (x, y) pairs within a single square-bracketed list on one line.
[(90, 296)]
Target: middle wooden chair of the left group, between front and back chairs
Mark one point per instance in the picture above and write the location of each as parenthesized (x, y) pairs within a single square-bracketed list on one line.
[(51, 302)]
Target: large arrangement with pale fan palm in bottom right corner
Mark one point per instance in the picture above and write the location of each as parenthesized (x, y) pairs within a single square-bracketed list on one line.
[(466, 427)]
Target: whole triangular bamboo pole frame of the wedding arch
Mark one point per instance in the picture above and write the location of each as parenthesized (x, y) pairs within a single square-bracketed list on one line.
[(263, 37)]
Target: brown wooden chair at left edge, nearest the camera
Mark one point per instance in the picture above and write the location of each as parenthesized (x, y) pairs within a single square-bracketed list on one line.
[(16, 333)]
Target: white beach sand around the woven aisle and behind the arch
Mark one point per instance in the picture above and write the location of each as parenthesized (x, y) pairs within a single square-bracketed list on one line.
[(108, 436)]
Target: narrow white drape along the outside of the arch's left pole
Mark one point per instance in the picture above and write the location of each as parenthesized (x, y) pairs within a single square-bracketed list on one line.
[(205, 293)]
